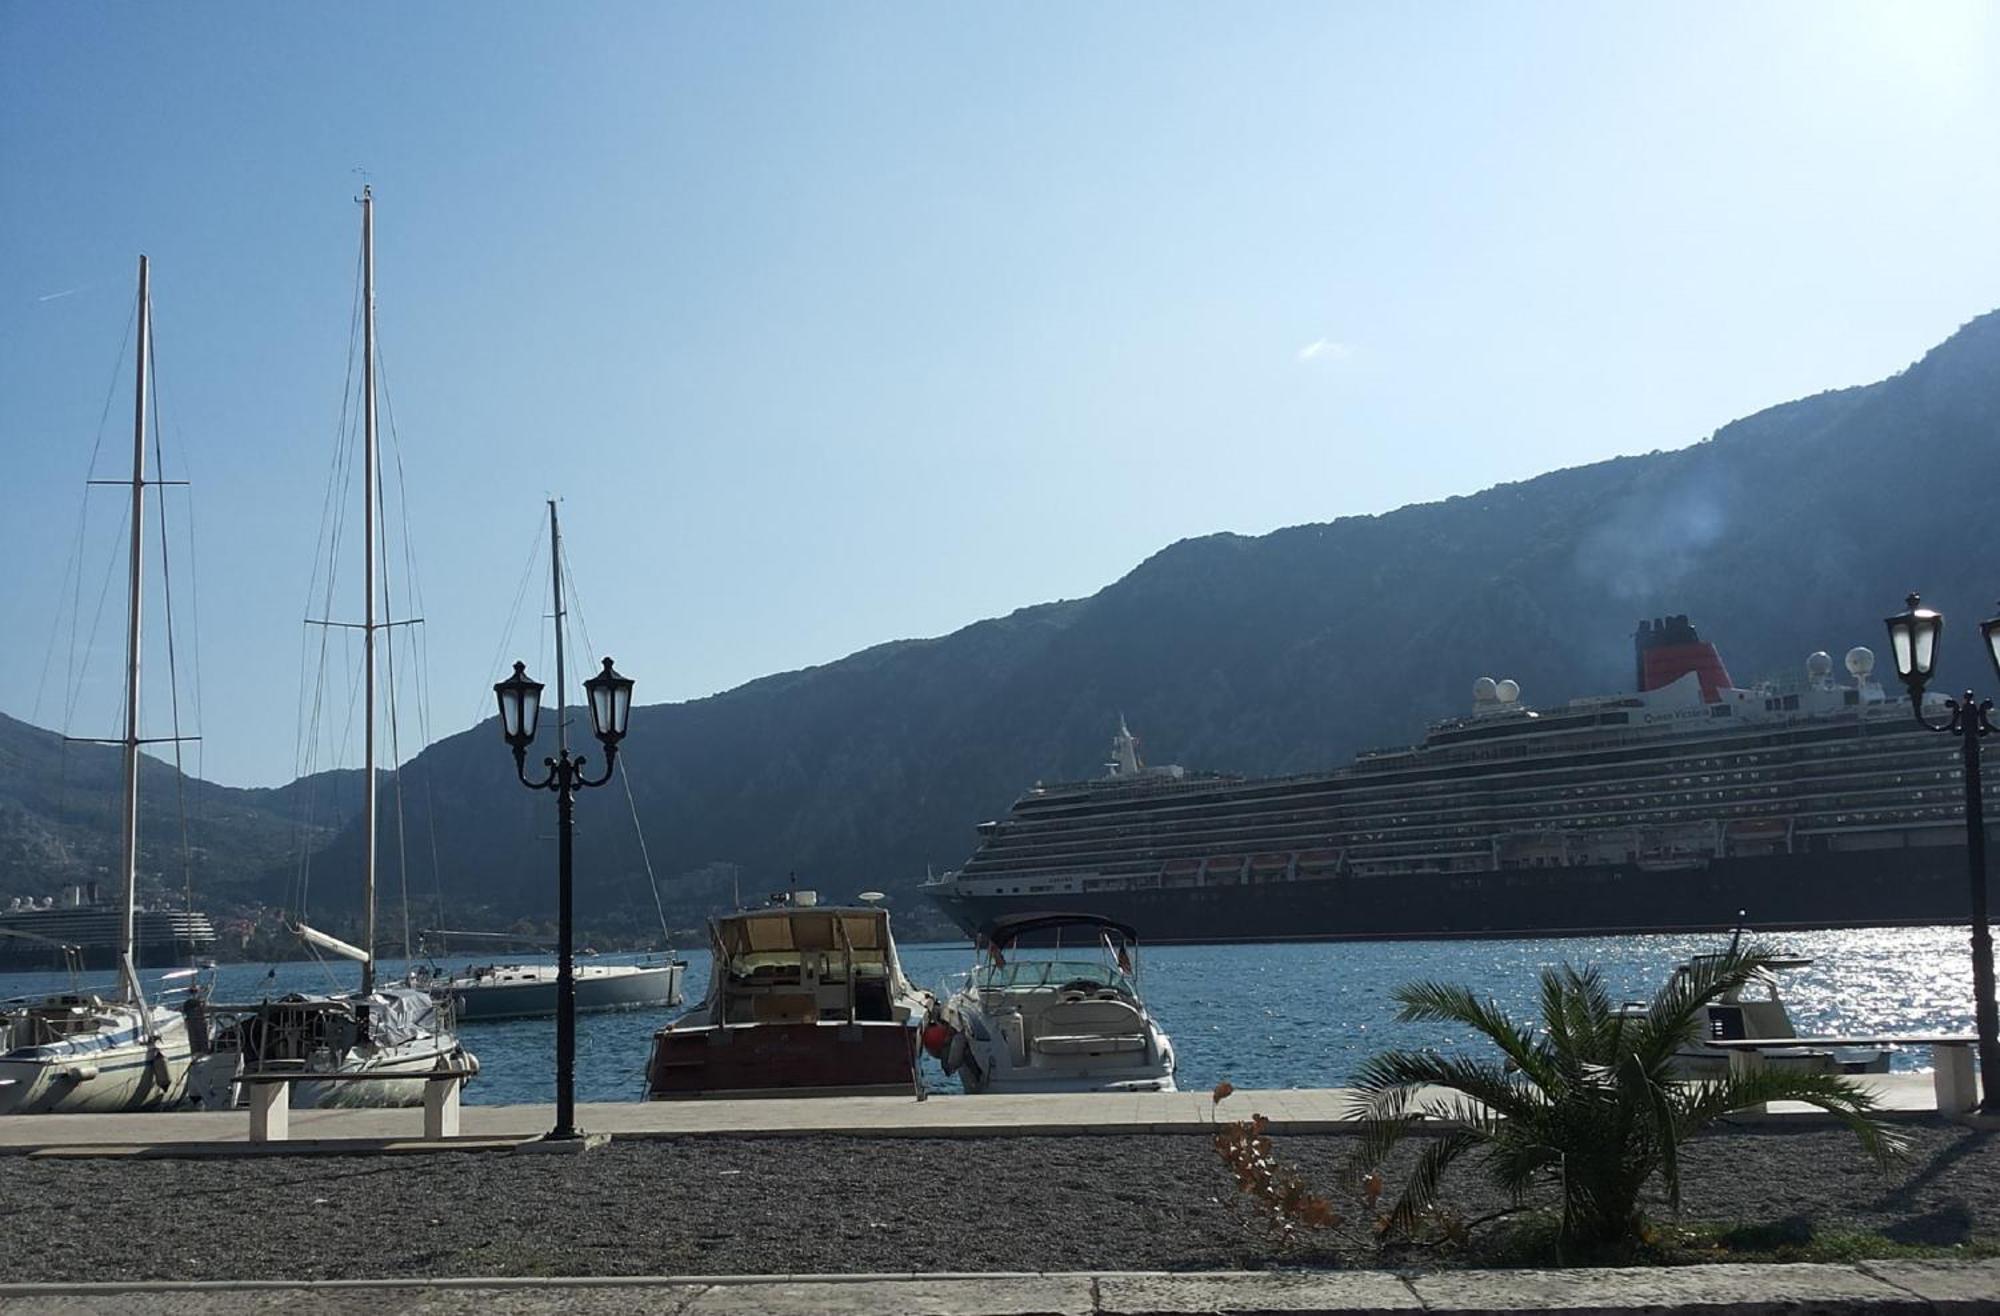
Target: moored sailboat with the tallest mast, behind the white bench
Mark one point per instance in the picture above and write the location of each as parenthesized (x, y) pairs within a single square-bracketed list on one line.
[(375, 1045)]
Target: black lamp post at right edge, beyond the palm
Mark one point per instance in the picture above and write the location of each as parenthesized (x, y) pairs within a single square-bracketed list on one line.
[(1913, 639)]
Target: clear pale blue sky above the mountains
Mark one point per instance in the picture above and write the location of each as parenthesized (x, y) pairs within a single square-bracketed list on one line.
[(841, 323)]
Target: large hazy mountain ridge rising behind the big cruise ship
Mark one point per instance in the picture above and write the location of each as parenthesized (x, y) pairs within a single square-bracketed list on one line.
[(1791, 531)]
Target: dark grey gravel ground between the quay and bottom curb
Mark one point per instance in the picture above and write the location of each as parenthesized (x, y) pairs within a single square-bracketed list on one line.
[(831, 1205)]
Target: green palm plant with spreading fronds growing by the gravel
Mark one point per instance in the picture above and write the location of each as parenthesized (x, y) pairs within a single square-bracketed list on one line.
[(1587, 1099)]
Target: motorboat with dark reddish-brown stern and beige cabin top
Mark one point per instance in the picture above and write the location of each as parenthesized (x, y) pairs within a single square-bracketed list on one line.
[(803, 1001)]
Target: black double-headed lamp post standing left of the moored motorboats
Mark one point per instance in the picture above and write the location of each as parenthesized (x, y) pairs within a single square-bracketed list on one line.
[(611, 709)]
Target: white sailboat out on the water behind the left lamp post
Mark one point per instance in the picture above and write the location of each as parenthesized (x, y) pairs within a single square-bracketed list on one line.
[(525, 991)]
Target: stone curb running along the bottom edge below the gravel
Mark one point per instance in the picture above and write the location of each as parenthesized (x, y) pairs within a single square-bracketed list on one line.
[(1875, 1289)]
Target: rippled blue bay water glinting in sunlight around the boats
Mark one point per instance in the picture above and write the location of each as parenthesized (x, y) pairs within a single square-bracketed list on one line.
[(1263, 1017)]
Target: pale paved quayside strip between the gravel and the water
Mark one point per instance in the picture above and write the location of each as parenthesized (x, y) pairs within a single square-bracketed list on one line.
[(1297, 1111)]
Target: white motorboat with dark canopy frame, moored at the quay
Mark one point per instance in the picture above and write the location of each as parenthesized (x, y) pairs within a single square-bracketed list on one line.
[(1053, 1005)]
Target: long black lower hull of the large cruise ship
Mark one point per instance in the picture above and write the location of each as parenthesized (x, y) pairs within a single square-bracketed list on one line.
[(1783, 893)]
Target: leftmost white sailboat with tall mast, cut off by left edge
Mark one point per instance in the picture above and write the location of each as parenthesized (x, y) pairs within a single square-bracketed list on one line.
[(75, 1051)]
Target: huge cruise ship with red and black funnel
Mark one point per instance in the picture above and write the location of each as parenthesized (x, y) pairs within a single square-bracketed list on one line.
[(1685, 805)]
